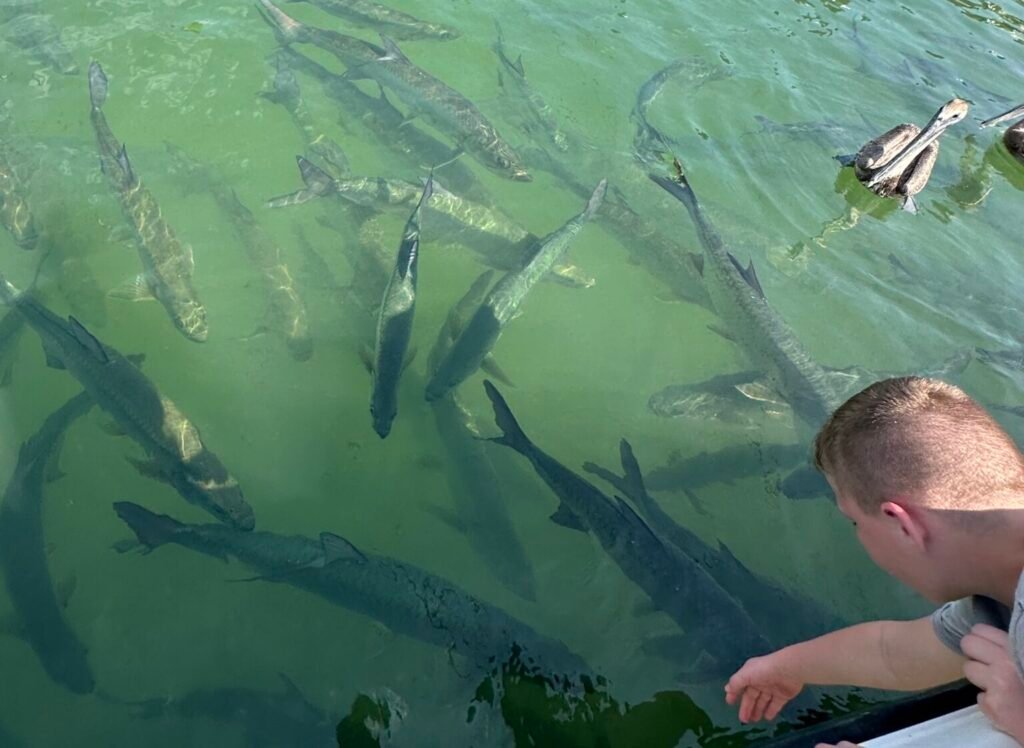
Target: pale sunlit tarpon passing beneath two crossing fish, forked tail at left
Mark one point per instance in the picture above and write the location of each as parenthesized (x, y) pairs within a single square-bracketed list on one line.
[(496, 238)]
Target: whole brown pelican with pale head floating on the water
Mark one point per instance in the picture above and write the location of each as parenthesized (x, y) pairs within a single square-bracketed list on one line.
[(899, 163)]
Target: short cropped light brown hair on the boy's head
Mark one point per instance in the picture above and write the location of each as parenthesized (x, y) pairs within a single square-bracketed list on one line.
[(920, 440)]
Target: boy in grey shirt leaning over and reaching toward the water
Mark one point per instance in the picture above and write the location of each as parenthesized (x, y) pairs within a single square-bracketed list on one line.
[(935, 489)]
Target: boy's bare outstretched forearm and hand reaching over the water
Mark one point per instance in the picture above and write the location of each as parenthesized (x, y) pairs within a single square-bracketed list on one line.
[(891, 655)]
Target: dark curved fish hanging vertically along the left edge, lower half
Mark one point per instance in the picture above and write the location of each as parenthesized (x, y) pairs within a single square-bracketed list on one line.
[(23, 555)]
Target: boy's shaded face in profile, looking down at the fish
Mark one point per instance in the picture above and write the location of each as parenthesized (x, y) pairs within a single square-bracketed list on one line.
[(891, 548)]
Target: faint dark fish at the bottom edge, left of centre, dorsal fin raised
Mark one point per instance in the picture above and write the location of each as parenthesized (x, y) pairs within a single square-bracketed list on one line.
[(284, 720)]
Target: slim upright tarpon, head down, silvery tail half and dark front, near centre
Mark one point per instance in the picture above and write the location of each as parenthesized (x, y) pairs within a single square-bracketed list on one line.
[(395, 323)]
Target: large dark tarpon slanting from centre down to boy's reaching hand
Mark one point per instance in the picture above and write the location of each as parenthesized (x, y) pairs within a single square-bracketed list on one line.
[(720, 635)]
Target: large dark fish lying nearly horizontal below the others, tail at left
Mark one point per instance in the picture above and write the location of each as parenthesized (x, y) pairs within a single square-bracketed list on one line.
[(406, 599)]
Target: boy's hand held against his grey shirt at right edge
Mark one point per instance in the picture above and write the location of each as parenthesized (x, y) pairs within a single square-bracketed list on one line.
[(993, 670)]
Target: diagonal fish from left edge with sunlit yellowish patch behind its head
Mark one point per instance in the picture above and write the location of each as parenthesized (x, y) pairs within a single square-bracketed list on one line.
[(178, 455)]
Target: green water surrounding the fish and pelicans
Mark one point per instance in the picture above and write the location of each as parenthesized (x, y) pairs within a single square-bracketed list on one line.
[(584, 362)]
